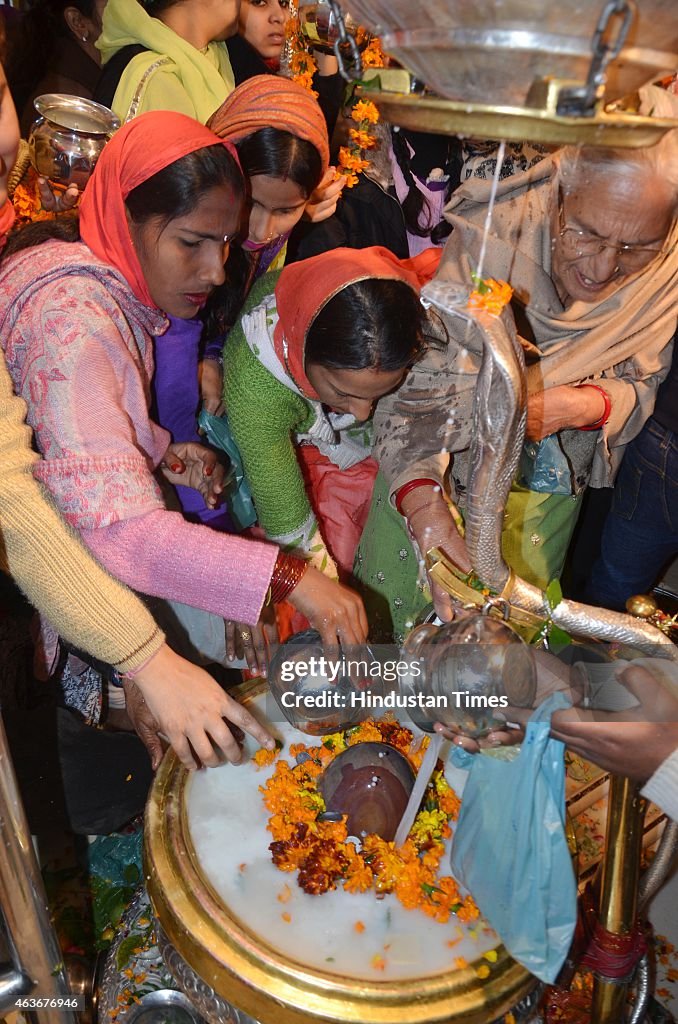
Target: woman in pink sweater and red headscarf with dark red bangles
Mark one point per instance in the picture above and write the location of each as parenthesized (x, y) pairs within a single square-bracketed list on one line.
[(77, 321)]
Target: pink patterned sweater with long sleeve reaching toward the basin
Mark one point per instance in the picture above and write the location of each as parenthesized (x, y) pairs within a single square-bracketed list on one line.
[(79, 350)]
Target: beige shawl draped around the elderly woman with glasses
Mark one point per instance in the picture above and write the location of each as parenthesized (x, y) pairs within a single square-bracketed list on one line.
[(623, 338)]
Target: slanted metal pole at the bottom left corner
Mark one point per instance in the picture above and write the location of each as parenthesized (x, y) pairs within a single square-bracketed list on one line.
[(38, 968)]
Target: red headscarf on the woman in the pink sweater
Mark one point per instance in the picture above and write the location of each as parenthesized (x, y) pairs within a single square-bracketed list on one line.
[(141, 149)]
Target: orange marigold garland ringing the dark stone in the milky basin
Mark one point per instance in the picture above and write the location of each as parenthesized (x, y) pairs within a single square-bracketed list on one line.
[(319, 851)]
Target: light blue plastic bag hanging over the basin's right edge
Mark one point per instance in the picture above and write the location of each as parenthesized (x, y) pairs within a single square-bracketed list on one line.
[(511, 848)]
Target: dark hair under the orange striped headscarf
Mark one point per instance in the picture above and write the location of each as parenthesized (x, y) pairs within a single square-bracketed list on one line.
[(281, 155)]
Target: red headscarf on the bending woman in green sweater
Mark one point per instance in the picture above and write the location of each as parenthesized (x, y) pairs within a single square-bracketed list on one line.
[(305, 288)]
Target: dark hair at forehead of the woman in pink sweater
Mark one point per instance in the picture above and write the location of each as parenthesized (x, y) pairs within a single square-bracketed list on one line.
[(176, 191)]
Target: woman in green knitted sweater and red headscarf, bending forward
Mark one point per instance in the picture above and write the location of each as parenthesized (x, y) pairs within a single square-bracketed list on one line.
[(315, 350)]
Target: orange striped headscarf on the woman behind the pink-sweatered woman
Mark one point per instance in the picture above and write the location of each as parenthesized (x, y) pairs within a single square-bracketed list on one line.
[(271, 102)]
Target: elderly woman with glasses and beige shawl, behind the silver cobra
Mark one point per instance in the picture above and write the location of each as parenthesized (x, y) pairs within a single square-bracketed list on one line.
[(587, 240)]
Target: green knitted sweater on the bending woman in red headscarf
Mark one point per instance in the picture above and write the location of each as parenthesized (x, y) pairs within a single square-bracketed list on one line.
[(265, 415)]
